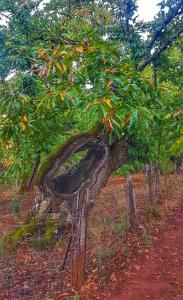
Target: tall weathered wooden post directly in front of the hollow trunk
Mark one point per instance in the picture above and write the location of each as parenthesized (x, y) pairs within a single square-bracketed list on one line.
[(79, 233)]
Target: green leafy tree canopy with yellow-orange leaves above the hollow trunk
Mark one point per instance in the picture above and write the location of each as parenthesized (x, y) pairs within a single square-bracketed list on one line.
[(74, 66)]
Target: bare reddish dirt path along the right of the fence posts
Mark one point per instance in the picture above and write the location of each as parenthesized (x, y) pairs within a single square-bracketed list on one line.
[(159, 275)]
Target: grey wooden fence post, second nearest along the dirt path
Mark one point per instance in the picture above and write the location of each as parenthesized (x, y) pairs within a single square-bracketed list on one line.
[(131, 203)]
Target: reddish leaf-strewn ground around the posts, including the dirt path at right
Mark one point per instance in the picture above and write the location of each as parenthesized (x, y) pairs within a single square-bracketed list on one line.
[(118, 267)]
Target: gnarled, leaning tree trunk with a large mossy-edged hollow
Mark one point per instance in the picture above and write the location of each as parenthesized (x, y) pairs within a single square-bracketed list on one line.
[(57, 195)]
